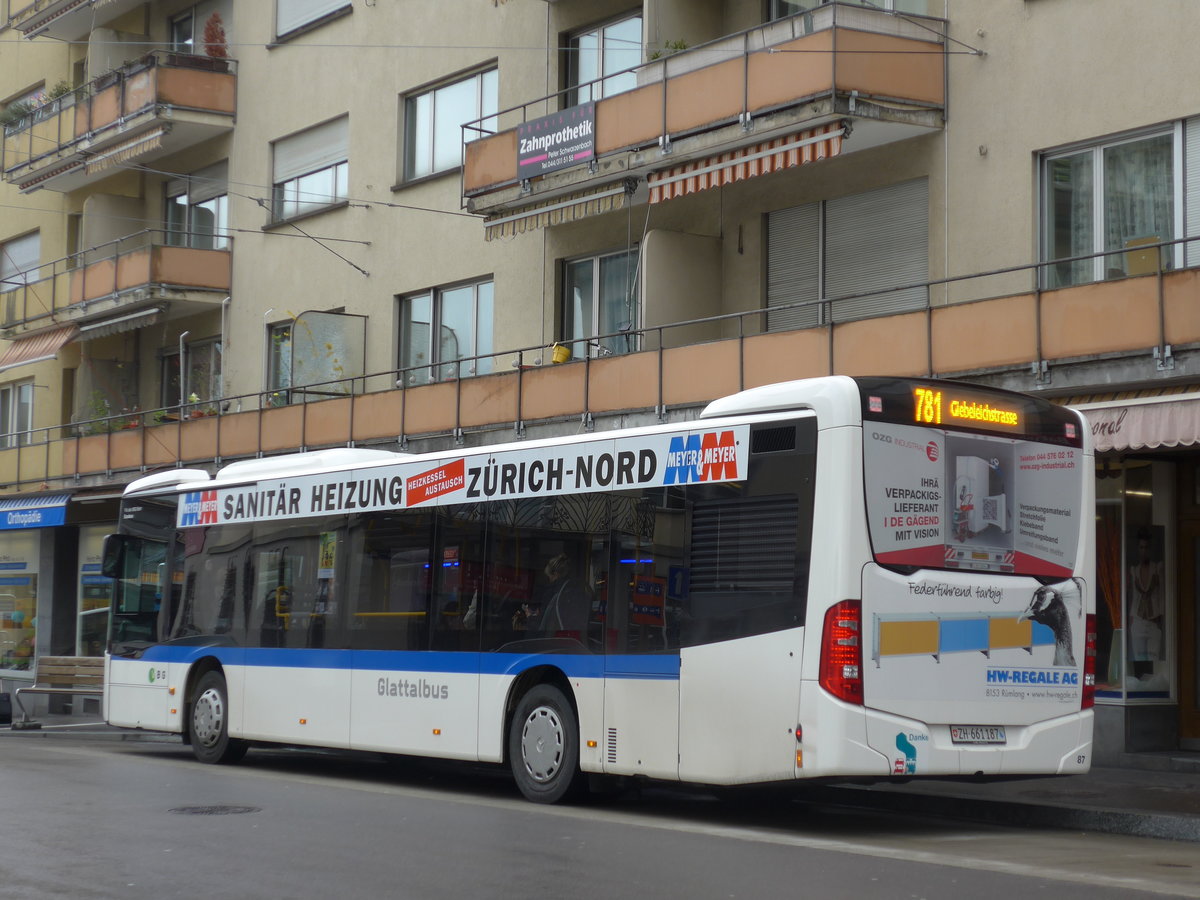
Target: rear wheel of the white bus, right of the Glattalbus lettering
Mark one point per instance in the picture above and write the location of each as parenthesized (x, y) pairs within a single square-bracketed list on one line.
[(544, 746)]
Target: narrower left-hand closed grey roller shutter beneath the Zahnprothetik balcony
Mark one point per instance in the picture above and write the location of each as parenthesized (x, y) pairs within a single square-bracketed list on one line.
[(794, 267)]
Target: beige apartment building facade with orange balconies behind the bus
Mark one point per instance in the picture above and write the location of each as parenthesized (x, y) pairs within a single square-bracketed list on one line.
[(236, 230)]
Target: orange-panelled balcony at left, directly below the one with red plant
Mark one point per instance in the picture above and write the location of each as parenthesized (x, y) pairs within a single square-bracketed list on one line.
[(125, 283)]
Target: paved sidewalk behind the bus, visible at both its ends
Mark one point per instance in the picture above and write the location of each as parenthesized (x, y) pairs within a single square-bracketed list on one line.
[(1151, 795)]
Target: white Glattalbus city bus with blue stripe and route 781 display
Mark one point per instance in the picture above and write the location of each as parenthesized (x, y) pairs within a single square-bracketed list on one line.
[(837, 578)]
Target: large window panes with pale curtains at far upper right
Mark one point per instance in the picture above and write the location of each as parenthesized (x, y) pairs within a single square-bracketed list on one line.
[(1117, 196)]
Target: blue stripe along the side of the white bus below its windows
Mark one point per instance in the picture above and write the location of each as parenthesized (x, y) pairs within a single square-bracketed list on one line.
[(575, 665)]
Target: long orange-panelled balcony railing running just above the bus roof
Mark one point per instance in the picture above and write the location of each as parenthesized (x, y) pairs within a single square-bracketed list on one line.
[(1030, 332)]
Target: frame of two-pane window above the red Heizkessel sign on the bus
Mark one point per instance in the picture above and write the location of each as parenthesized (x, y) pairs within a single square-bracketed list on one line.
[(437, 368)]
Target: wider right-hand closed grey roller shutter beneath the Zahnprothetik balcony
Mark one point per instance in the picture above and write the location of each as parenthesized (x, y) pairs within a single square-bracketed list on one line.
[(875, 242)]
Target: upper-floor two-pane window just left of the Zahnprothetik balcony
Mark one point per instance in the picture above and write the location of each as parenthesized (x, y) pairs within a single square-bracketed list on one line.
[(434, 122)]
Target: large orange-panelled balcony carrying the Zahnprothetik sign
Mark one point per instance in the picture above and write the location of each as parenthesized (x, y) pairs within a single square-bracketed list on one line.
[(875, 77)]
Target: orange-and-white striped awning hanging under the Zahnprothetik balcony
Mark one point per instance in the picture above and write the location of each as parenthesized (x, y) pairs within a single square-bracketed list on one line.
[(746, 163)]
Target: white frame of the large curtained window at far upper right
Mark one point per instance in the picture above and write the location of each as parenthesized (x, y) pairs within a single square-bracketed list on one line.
[(1100, 265)]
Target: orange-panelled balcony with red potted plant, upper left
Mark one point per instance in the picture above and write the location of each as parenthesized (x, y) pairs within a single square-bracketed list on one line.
[(160, 105)]
